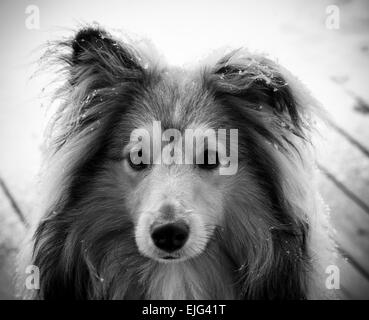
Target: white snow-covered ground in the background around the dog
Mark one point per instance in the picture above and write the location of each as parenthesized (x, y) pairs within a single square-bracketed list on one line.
[(333, 63)]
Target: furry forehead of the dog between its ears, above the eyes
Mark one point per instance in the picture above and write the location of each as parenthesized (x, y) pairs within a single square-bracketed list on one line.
[(178, 102)]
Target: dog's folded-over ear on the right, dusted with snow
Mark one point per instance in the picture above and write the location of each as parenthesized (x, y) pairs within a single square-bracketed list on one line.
[(261, 86)]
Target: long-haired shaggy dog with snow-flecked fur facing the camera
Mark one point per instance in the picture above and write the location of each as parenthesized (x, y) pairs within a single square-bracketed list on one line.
[(111, 227)]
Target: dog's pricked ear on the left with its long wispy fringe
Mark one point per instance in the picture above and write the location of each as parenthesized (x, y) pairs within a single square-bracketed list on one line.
[(97, 74)]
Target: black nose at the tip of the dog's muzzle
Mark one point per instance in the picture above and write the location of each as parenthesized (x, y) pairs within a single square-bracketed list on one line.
[(171, 236)]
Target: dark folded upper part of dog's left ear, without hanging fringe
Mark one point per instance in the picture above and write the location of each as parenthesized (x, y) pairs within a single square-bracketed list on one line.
[(97, 56)]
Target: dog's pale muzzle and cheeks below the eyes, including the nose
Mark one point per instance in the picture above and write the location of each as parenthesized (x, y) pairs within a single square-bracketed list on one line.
[(175, 208)]
